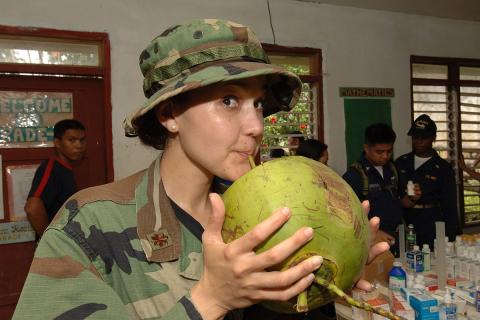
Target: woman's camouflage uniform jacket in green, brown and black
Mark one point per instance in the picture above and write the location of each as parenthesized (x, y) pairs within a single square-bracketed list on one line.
[(101, 258)]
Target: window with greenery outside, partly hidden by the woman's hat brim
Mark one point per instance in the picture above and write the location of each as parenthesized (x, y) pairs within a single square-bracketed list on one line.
[(306, 119)]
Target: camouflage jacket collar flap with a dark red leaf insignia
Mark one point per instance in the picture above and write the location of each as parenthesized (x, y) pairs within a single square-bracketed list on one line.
[(157, 226)]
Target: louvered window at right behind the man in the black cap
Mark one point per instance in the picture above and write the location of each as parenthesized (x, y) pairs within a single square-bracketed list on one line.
[(448, 90)]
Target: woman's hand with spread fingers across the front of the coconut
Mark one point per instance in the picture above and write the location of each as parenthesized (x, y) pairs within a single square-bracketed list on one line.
[(234, 276)]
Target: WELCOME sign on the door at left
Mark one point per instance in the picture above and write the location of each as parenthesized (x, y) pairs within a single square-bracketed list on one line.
[(27, 118)]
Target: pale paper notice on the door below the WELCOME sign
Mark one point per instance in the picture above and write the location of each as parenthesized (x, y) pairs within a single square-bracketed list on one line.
[(19, 181)]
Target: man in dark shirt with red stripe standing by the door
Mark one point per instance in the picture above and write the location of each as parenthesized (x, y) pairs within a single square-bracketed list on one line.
[(54, 182)]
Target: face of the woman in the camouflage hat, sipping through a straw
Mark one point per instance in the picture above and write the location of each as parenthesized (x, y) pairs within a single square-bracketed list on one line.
[(222, 126)]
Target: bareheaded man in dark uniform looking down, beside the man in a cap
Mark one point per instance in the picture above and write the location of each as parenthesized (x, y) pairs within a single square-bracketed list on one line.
[(374, 178)]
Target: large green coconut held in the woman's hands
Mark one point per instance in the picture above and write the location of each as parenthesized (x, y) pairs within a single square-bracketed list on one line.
[(317, 197)]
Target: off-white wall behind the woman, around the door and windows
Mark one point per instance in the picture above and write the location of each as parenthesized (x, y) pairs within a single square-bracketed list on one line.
[(360, 48)]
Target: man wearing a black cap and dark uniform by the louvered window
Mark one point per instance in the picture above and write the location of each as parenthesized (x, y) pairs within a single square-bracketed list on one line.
[(436, 178)]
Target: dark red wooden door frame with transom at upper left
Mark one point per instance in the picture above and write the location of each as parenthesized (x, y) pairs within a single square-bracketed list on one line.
[(104, 70)]
